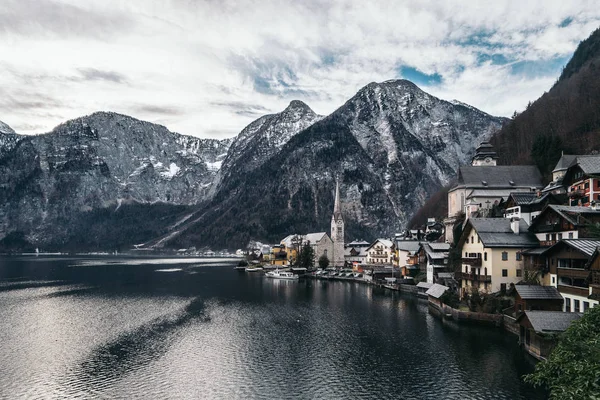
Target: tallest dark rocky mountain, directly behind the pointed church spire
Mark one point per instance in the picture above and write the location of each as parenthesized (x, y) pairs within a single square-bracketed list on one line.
[(391, 146)]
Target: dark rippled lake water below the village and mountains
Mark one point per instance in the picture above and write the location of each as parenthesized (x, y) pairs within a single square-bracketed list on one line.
[(196, 329)]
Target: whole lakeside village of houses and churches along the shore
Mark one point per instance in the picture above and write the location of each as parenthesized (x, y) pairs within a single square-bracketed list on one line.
[(511, 250)]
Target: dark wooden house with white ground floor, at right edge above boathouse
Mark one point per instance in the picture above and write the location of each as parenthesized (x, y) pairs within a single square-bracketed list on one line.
[(568, 262)]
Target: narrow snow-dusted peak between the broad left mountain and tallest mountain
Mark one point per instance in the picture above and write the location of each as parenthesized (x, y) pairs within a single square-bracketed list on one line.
[(263, 138)]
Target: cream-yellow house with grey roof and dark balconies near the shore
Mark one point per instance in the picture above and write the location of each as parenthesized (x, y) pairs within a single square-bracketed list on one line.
[(491, 253)]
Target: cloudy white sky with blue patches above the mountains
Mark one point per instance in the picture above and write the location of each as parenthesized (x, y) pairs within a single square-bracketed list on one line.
[(208, 68)]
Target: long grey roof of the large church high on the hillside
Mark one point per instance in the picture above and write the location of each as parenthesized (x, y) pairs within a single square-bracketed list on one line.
[(500, 176)]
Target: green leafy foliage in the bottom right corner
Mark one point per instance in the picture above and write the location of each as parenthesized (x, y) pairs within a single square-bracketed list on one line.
[(572, 371)]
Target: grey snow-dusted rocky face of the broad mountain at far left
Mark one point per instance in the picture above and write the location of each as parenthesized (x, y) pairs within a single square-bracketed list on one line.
[(102, 161)]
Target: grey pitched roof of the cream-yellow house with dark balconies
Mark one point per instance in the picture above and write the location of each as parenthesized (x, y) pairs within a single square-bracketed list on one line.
[(497, 232)]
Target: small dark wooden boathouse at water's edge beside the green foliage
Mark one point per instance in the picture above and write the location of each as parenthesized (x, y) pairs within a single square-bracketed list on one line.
[(538, 330)]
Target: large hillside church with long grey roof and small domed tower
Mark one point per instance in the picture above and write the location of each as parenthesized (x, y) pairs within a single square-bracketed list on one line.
[(483, 184)]
